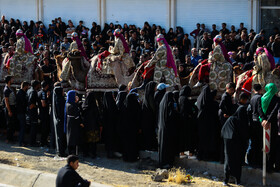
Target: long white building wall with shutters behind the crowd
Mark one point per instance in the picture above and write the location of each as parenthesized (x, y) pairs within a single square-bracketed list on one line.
[(255, 14)]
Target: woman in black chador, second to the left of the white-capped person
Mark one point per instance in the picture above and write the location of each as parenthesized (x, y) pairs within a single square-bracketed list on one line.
[(131, 124)]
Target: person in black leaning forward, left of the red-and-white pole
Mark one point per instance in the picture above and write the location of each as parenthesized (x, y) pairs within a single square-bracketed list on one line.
[(235, 135)]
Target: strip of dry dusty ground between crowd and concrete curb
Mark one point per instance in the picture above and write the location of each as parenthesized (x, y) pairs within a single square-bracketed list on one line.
[(102, 170)]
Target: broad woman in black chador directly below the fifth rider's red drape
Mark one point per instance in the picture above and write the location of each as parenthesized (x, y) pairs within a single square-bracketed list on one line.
[(208, 125)]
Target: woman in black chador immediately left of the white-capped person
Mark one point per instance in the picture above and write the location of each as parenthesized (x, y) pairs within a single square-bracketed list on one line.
[(149, 117)]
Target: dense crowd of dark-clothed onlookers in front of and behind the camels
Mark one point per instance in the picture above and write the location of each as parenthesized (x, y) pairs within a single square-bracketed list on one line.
[(165, 121)]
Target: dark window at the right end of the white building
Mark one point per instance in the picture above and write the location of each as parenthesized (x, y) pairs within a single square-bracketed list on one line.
[(270, 15)]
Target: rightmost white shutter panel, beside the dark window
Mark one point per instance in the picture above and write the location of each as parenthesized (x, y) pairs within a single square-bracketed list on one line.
[(190, 12)]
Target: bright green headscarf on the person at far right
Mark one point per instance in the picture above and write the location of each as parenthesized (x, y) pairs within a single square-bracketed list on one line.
[(271, 90)]
